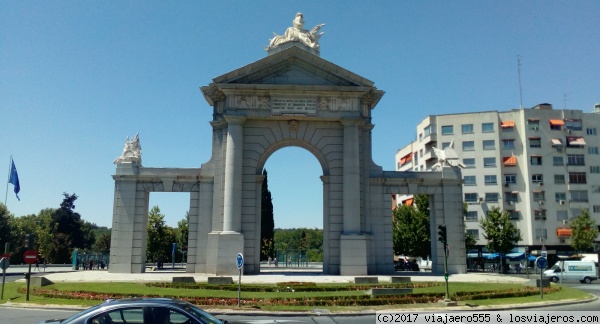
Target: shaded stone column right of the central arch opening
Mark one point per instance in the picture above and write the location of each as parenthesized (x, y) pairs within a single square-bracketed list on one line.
[(351, 178)]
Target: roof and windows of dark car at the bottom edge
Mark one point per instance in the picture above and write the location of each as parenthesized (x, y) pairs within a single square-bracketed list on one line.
[(142, 311)]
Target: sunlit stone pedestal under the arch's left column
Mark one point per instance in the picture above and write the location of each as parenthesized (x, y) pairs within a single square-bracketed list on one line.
[(222, 251)]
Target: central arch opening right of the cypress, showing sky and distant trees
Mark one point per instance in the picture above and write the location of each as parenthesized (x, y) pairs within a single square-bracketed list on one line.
[(293, 180)]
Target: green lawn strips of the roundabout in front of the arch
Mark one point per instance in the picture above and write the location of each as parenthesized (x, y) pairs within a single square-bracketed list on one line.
[(12, 294)]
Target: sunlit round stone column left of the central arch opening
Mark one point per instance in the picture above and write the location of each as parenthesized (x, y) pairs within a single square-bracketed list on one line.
[(232, 200)]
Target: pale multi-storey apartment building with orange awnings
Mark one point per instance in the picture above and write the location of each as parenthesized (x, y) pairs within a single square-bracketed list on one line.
[(542, 165)]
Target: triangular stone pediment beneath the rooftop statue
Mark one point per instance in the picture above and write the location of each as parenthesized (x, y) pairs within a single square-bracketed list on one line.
[(293, 66)]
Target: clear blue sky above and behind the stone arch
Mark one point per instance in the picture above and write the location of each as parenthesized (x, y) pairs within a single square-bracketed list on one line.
[(78, 77)]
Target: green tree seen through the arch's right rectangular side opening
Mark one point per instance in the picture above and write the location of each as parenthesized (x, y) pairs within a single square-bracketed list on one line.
[(410, 228)]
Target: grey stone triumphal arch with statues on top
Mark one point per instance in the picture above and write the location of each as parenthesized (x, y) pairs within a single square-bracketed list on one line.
[(292, 97)]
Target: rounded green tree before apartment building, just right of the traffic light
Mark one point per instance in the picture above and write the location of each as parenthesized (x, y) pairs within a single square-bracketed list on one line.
[(501, 235)]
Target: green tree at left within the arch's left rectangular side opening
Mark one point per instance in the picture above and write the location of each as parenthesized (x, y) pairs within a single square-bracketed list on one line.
[(159, 240)]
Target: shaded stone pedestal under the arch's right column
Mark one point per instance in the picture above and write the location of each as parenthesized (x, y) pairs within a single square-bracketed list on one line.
[(353, 254)]
